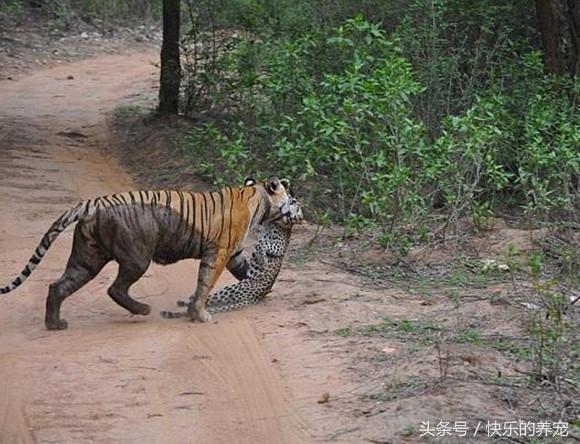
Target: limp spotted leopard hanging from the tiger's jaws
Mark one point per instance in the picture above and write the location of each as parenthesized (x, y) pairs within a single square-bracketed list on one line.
[(263, 269)]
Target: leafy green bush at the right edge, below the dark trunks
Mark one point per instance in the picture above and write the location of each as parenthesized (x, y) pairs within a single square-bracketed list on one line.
[(522, 142)]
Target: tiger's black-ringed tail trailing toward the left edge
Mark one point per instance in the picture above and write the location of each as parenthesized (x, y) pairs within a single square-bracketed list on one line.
[(67, 218)]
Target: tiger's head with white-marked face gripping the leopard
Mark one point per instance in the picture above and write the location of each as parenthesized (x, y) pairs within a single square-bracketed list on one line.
[(283, 206)]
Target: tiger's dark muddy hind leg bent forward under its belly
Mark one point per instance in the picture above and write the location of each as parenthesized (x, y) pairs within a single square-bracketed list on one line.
[(129, 272)]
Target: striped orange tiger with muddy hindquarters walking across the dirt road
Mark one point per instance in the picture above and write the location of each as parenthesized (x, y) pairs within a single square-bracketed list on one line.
[(137, 227)]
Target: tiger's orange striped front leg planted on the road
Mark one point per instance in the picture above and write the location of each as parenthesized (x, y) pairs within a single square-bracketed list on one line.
[(210, 269)]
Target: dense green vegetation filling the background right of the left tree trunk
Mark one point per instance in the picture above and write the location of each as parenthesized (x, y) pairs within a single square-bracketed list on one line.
[(394, 113)]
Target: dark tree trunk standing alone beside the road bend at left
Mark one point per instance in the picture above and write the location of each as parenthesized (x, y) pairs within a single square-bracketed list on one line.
[(170, 64)]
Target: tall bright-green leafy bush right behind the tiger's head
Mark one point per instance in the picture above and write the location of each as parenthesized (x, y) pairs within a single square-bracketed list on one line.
[(356, 128)]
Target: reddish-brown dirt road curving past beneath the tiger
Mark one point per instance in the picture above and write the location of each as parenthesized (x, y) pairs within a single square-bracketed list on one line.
[(111, 377)]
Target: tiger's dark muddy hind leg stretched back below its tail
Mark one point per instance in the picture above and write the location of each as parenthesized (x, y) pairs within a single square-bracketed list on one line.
[(85, 262)]
